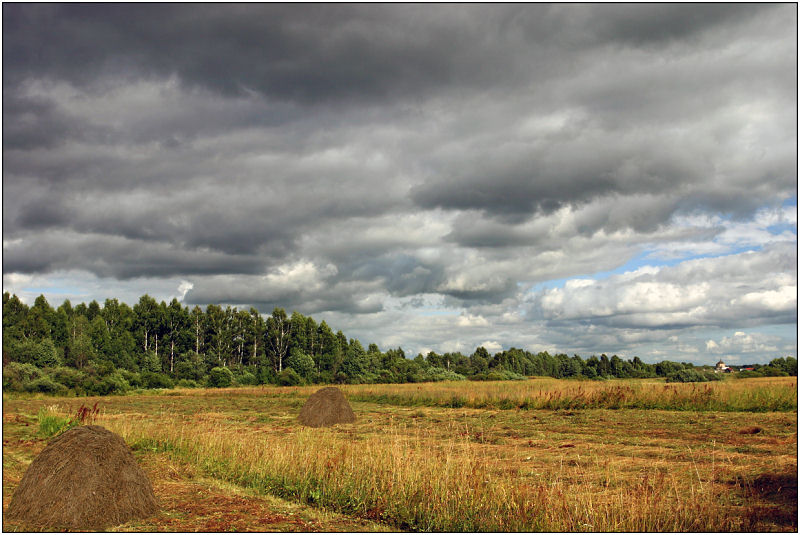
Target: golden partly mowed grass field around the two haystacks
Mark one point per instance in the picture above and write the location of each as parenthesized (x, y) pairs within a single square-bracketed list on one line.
[(535, 455)]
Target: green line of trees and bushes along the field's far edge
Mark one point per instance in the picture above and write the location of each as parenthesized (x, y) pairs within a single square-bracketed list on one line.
[(89, 349)]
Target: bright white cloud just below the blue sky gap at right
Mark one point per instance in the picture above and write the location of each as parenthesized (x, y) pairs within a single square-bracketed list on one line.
[(747, 288)]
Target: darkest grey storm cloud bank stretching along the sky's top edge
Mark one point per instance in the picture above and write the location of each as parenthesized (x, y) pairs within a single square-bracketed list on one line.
[(317, 52)]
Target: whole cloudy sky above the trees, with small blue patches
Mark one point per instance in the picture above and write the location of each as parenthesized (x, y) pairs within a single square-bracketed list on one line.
[(587, 179)]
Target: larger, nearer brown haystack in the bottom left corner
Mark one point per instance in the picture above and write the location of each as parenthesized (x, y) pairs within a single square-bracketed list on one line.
[(85, 479)]
